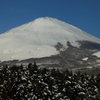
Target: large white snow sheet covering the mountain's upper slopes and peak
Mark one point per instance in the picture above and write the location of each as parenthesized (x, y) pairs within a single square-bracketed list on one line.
[(37, 39)]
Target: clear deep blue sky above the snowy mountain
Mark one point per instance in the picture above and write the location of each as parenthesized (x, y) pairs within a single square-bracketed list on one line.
[(84, 14)]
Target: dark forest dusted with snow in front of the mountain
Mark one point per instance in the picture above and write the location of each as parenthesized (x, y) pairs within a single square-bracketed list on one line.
[(33, 83)]
